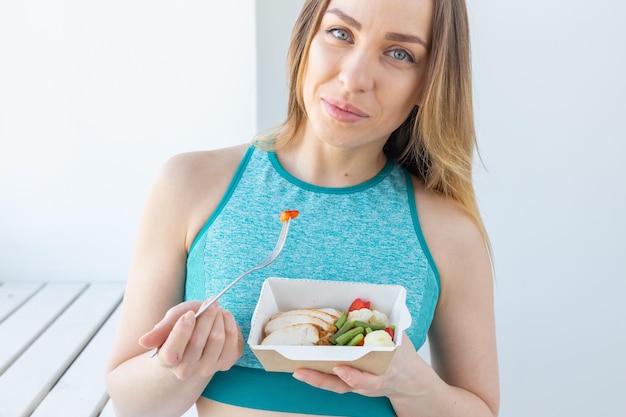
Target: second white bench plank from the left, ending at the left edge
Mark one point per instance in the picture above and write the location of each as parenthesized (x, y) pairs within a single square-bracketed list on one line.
[(22, 327)]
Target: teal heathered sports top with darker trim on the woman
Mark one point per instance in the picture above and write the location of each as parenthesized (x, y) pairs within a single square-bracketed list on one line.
[(368, 232)]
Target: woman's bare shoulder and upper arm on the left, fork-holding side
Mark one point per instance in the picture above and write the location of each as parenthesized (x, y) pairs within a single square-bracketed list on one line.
[(183, 195)]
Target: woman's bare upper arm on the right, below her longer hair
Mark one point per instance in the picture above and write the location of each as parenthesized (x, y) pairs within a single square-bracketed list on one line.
[(462, 335)]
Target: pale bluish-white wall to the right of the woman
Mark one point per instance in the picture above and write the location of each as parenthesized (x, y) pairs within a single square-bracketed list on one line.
[(549, 80)]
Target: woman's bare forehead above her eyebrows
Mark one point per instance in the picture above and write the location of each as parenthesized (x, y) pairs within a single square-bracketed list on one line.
[(413, 17)]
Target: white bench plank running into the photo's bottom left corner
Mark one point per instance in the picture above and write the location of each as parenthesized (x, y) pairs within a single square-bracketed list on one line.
[(29, 379)]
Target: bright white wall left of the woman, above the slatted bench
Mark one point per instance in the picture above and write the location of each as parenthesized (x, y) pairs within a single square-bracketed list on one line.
[(94, 97)]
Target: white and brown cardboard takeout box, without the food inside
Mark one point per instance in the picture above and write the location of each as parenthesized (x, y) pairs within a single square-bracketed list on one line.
[(282, 294)]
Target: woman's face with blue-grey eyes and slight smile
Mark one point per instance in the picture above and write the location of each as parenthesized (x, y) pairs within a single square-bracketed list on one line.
[(365, 69)]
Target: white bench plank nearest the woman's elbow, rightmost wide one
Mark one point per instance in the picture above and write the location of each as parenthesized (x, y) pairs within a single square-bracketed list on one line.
[(82, 391)]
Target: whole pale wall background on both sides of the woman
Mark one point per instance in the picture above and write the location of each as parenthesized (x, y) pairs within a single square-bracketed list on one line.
[(95, 96)]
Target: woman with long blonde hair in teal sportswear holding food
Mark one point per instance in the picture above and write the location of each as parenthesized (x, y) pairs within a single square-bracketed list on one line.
[(376, 153)]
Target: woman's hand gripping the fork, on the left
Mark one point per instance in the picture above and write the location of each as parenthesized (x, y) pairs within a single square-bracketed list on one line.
[(196, 347)]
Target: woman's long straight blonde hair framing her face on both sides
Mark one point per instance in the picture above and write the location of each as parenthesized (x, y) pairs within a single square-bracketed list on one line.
[(437, 141)]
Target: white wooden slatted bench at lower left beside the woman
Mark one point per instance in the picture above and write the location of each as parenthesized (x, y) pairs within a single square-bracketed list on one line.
[(54, 343)]
